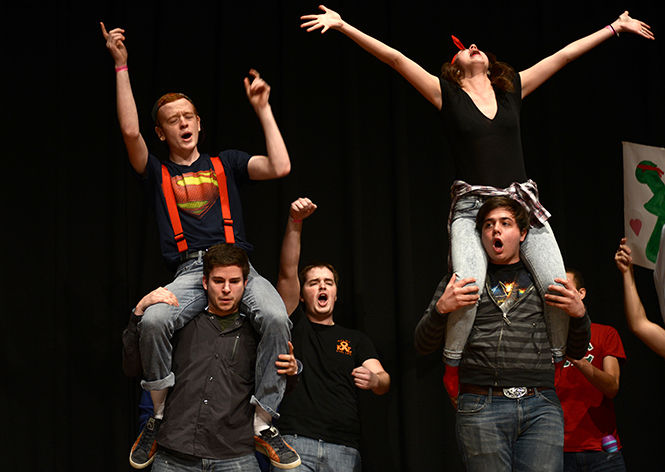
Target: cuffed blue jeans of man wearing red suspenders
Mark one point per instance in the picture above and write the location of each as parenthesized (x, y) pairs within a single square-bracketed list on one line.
[(260, 302)]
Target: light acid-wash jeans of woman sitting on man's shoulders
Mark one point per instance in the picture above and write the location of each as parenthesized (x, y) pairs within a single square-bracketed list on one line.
[(539, 252)]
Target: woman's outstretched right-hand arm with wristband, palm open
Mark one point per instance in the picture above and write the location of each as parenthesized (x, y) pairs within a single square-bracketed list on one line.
[(533, 77)]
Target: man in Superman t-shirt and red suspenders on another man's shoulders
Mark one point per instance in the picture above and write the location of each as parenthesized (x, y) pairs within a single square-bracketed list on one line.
[(197, 205)]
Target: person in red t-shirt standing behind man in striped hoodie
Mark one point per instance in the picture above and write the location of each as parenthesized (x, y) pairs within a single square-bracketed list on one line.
[(586, 388)]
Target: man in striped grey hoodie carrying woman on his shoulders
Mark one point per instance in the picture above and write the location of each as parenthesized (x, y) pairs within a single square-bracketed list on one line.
[(508, 413)]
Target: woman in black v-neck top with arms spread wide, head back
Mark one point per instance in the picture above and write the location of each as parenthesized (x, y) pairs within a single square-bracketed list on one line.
[(479, 99)]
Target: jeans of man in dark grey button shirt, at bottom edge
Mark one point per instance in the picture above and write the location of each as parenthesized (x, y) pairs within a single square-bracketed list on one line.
[(165, 461)]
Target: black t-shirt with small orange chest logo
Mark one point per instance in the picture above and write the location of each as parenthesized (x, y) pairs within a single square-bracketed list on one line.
[(324, 404)]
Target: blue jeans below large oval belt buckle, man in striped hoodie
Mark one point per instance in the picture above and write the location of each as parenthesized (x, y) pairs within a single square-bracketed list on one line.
[(498, 434)]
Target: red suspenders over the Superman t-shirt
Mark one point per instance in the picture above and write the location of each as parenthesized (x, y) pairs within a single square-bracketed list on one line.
[(172, 207)]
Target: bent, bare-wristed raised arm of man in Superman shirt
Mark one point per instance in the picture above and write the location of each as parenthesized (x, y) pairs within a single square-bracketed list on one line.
[(276, 164)]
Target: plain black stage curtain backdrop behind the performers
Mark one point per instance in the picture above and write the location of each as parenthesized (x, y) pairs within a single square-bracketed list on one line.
[(80, 244)]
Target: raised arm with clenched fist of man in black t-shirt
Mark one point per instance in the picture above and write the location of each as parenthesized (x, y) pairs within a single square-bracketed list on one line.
[(288, 285)]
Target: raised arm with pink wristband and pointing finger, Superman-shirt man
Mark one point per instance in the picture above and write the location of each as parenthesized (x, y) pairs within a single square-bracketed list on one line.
[(127, 114)]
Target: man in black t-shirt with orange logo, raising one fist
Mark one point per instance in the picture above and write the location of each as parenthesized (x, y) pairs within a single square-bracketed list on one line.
[(320, 417)]
